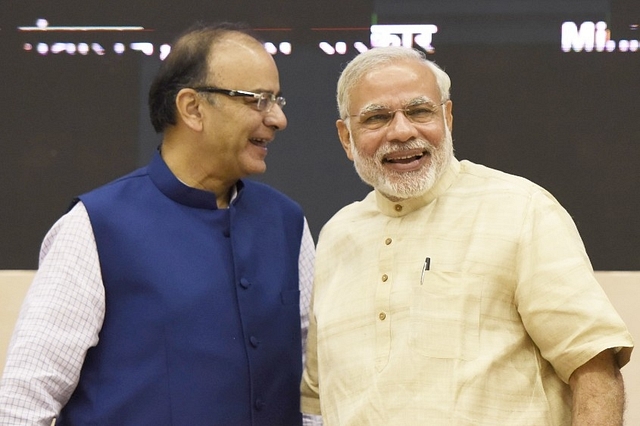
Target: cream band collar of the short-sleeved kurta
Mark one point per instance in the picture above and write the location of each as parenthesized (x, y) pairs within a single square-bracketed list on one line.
[(404, 207)]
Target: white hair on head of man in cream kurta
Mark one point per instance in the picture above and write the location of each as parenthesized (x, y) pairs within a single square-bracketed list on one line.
[(371, 59)]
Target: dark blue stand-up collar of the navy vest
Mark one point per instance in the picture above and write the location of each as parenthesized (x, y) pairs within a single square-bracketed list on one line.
[(164, 179)]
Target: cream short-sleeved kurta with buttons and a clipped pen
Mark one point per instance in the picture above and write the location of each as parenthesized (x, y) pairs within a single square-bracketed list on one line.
[(489, 335)]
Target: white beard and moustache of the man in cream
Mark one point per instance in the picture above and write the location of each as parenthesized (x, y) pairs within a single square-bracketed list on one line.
[(403, 185)]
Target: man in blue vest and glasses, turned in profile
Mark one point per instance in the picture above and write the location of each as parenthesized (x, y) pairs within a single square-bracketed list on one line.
[(178, 294)]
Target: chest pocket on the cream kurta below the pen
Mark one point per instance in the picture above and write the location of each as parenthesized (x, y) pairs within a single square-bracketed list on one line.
[(445, 315)]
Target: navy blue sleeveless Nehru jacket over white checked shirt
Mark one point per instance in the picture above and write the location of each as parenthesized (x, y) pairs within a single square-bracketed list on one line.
[(202, 323)]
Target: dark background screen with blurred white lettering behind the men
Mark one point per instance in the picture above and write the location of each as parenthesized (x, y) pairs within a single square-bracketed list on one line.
[(568, 121)]
